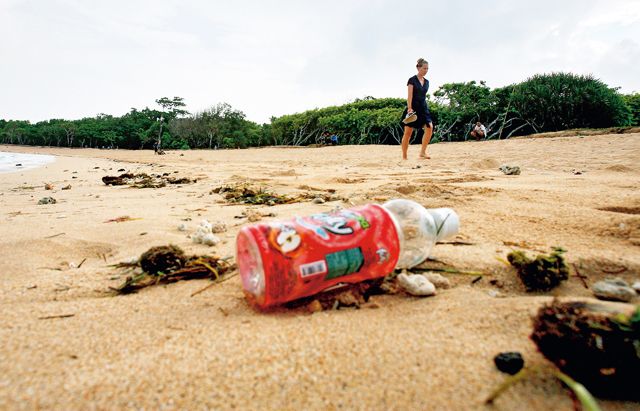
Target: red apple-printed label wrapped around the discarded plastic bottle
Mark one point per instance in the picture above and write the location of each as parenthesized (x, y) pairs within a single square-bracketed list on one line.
[(306, 255)]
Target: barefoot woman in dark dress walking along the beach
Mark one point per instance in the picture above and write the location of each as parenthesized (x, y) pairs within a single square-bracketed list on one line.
[(416, 115)]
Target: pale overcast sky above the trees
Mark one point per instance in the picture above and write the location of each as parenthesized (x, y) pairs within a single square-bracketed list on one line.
[(78, 58)]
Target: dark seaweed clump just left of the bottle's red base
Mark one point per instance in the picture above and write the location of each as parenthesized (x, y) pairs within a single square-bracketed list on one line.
[(168, 264)]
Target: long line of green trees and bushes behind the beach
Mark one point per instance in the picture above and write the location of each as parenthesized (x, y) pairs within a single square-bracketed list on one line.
[(542, 103)]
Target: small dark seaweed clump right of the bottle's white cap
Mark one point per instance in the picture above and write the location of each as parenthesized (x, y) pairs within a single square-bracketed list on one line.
[(542, 273)]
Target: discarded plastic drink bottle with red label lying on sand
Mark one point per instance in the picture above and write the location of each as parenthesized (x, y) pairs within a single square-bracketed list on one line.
[(286, 260)]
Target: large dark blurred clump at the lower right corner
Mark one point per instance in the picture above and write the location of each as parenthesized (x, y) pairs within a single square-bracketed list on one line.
[(597, 344)]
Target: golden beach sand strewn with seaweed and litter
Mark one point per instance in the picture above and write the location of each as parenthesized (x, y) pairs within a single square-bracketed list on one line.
[(161, 348)]
